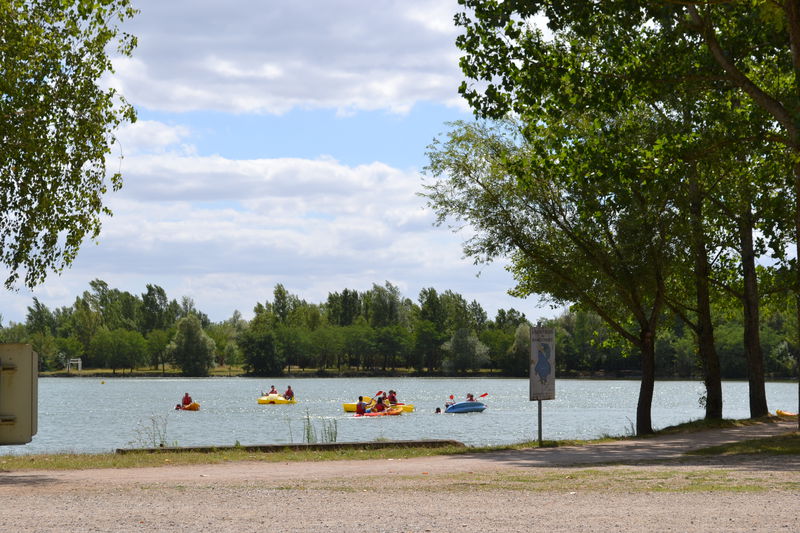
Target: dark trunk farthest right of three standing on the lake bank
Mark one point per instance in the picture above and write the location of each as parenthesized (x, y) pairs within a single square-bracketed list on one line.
[(752, 335)]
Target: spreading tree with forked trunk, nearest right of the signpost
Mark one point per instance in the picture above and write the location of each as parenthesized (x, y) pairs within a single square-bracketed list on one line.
[(568, 217)]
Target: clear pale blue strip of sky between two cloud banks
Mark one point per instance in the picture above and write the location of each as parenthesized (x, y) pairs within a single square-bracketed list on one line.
[(399, 140)]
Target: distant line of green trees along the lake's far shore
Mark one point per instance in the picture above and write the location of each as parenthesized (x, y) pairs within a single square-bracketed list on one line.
[(373, 331)]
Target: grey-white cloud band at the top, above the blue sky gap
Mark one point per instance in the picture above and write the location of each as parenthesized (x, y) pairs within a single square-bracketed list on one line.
[(237, 57)]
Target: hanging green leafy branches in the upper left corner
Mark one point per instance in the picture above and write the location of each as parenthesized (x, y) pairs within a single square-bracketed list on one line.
[(57, 125)]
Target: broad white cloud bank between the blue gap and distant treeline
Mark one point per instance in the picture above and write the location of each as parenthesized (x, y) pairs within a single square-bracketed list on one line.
[(224, 232)]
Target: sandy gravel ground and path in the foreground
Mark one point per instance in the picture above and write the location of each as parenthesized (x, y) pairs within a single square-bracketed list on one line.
[(637, 485)]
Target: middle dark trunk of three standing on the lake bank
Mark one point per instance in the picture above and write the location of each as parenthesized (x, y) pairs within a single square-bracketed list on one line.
[(705, 327)]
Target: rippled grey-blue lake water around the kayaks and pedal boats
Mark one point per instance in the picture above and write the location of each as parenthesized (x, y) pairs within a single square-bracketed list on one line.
[(92, 415)]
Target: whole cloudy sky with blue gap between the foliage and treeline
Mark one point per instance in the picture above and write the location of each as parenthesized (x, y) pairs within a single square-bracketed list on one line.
[(282, 144)]
